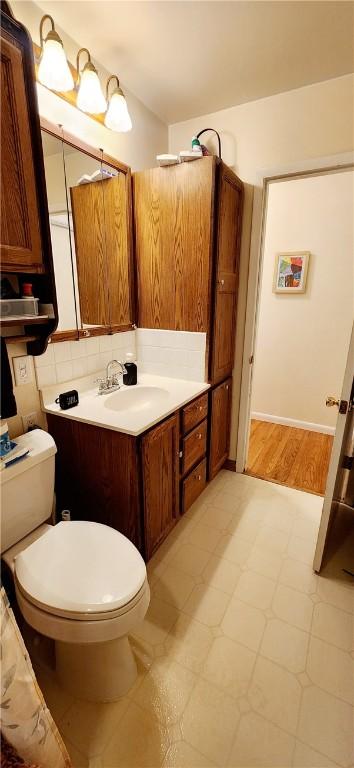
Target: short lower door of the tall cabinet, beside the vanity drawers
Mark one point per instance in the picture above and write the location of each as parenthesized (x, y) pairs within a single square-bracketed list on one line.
[(220, 426)]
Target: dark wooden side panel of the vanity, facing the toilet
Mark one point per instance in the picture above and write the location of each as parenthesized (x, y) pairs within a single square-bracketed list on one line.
[(97, 475)]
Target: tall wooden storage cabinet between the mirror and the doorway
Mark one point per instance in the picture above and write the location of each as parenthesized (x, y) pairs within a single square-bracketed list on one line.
[(188, 220)]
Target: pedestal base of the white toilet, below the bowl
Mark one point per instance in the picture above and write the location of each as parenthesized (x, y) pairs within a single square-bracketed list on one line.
[(96, 671)]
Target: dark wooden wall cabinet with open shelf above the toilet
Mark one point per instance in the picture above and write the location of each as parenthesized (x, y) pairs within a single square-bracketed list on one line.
[(25, 243)]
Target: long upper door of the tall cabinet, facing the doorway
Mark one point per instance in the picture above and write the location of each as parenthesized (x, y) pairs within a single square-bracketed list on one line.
[(227, 269)]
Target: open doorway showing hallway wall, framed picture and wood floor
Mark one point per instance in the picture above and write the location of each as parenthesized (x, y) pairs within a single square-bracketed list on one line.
[(304, 317)]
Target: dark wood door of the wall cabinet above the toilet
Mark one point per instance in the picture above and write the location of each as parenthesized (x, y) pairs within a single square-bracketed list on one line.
[(21, 246)]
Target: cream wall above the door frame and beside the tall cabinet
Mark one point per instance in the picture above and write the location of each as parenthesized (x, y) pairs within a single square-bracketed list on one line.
[(281, 131)]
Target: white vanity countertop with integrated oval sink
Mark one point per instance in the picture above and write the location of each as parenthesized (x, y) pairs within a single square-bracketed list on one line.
[(158, 397)]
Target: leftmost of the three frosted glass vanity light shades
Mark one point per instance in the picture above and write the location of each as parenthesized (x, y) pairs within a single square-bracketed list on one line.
[(53, 70)]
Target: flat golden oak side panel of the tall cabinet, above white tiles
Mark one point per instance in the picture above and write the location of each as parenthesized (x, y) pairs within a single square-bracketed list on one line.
[(173, 210)]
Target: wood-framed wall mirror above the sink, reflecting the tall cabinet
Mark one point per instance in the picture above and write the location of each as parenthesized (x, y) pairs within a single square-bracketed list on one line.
[(89, 198)]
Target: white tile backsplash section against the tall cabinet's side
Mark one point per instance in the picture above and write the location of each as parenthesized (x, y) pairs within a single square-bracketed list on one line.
[(179, 354)]
